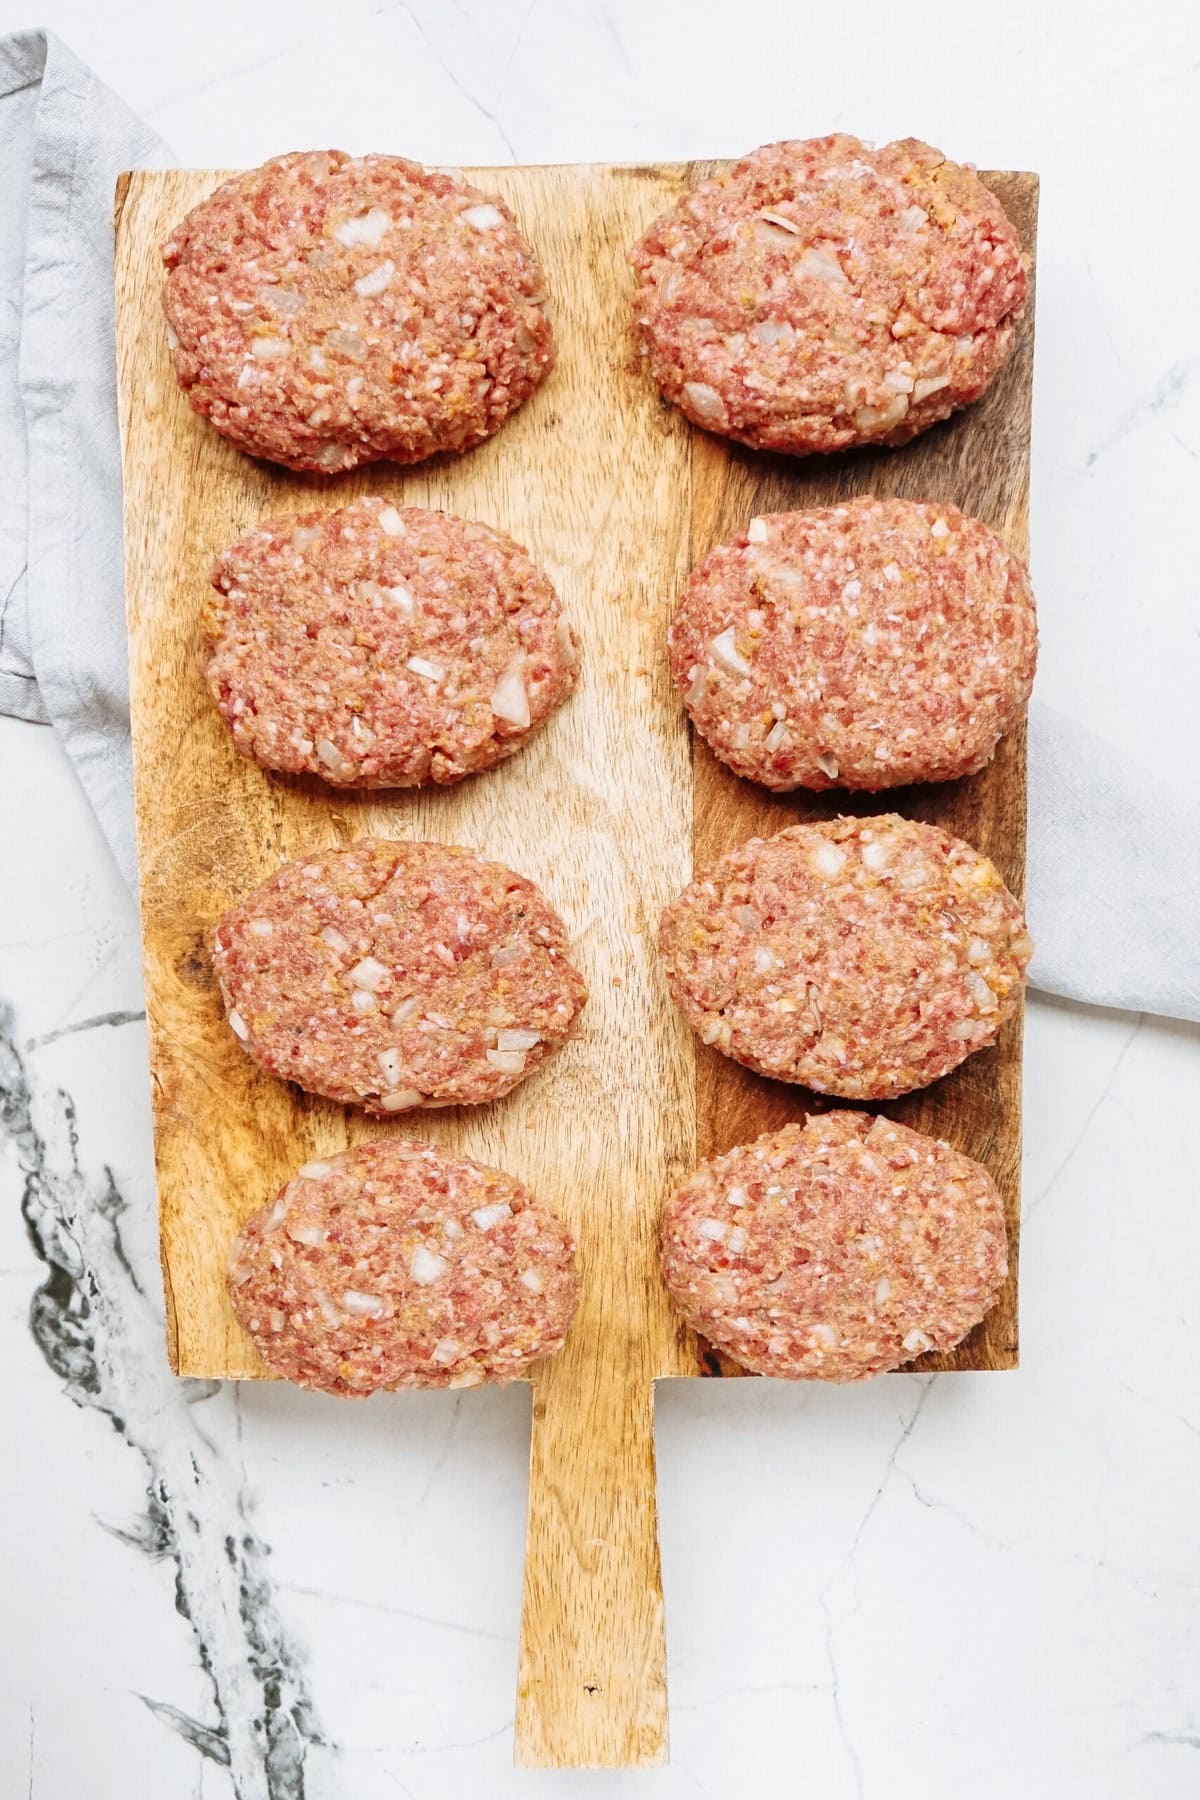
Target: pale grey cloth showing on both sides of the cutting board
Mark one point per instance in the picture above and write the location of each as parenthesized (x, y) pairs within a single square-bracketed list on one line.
[(1115, 858)]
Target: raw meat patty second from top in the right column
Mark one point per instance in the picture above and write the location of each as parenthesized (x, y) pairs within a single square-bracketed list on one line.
[(864, 647)]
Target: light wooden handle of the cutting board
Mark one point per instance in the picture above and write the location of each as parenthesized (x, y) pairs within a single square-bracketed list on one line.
[(593, 1686)]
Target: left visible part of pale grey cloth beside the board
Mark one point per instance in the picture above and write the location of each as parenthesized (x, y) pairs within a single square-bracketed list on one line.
[(64, 141)]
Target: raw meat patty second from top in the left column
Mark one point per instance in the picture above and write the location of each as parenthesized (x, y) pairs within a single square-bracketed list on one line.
[(384, 647)]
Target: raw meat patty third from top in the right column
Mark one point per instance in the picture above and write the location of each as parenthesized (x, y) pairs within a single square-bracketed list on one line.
[(859, 957)]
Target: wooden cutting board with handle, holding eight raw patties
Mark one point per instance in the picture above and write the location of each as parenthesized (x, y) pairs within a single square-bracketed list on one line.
[(616, 498)]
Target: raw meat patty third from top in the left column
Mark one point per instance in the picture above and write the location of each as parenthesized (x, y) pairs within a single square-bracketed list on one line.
[(397, 976)]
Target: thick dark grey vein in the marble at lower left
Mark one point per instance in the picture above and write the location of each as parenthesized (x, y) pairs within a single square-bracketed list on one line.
[(100, 1335)]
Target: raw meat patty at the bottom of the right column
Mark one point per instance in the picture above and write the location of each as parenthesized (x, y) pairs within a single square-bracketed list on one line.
[(836, 1250)]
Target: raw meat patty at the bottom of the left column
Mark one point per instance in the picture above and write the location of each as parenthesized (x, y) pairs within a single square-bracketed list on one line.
[(399, 1266)]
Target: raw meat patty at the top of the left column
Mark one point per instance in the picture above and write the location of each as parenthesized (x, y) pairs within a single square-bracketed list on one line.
[(328, 310)]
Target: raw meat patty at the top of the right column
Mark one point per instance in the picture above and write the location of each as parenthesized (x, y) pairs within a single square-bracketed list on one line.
[(825, 294)]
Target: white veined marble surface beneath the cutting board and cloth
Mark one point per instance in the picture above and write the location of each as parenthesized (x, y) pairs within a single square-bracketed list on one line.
[(980, 1585)]
